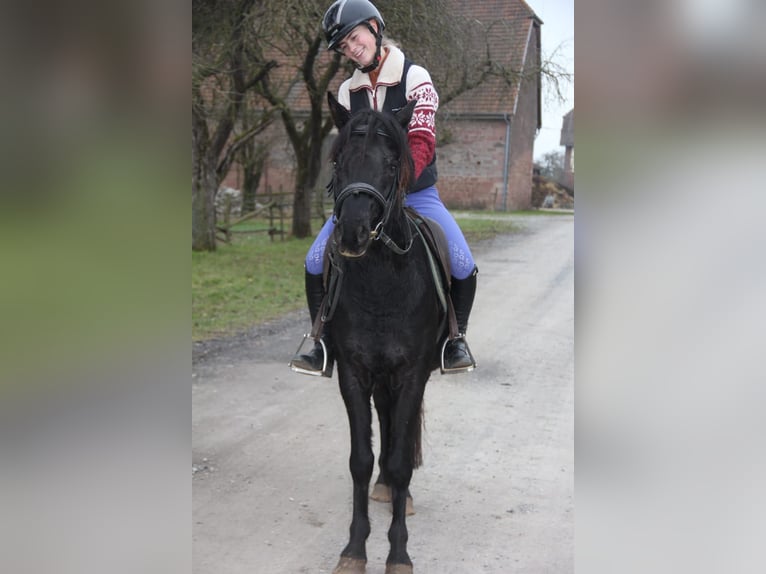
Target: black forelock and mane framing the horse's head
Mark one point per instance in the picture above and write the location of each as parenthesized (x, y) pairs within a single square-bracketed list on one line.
[(374, 121)]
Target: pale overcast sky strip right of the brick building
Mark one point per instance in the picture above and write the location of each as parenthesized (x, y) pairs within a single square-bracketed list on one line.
[(557, 32)]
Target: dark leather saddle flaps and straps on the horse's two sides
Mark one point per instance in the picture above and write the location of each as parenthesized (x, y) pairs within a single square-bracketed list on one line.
[(433, 237)]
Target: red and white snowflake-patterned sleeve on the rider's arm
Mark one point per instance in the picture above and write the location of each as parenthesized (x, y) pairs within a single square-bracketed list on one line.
[(422, 128)]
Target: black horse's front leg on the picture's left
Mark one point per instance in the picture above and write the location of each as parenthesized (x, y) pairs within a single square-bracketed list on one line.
[(361, 461)]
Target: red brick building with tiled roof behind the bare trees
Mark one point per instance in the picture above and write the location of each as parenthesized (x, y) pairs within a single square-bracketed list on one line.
[(485, 136)]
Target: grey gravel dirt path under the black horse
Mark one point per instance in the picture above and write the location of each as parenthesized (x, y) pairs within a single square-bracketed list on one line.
[(271, 488)]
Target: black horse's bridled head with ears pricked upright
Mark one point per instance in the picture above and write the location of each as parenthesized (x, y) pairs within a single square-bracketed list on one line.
[(372, 170)]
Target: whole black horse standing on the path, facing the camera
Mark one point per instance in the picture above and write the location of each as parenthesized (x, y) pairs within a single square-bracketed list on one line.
[(387, 323)]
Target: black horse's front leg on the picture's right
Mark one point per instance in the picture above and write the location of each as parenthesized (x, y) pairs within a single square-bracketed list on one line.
[(405, 428)]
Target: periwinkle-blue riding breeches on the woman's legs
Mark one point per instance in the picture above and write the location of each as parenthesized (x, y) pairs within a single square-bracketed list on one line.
[(427, 203)]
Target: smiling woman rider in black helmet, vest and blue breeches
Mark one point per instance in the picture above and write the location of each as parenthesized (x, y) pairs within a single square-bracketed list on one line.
[(385, 80)]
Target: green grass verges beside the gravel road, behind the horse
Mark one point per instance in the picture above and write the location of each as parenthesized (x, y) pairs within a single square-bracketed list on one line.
[(254, 279)]
